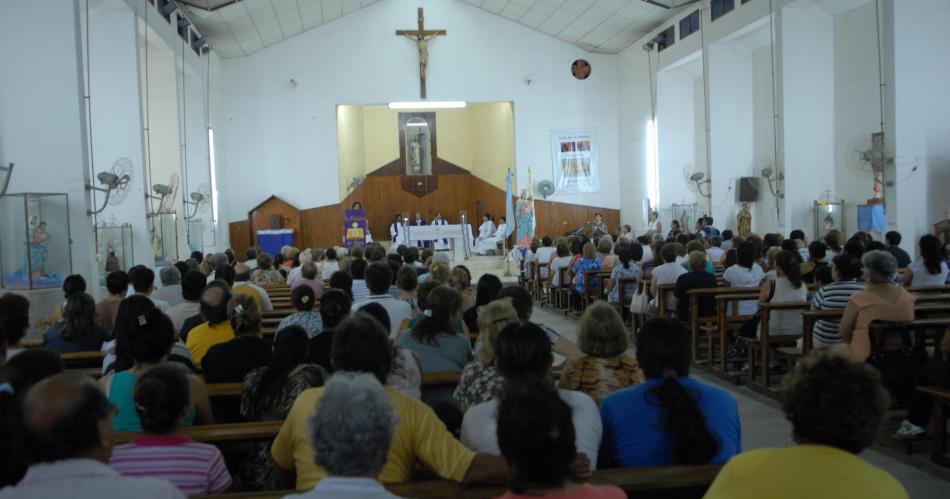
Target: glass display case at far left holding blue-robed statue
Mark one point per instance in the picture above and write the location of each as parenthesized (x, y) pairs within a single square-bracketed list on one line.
[(34, 241)]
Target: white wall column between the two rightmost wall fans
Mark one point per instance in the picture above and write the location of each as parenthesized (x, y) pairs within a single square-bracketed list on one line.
[(808, 72)]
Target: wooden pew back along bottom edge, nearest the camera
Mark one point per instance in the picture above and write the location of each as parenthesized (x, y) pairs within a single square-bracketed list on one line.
[(666, 481)]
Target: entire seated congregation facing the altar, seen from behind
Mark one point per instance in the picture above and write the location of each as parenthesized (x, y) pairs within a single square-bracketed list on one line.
[(335, 345)]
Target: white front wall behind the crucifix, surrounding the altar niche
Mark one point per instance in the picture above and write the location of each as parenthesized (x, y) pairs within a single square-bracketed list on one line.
[(265, 125)]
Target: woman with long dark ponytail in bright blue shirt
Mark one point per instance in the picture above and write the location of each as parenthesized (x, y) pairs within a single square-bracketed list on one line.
[(697, 423)]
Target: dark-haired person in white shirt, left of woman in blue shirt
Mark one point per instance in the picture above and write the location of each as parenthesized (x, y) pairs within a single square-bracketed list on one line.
[(523, 355)]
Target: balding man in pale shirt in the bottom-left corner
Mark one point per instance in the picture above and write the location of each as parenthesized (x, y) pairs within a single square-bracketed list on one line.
[(68, 424)]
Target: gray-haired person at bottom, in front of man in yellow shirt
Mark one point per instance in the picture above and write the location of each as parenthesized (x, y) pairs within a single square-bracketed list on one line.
[(351, 434)]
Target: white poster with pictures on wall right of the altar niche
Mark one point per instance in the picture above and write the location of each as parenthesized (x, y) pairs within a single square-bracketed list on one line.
[(574, 154)]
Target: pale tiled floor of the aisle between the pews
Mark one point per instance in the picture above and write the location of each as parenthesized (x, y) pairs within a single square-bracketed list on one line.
[(764, 425)]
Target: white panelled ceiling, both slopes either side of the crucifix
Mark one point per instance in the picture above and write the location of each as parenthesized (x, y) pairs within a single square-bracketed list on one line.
[(607, 26)]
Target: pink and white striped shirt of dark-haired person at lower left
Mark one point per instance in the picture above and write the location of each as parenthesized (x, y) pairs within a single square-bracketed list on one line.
[(195, 468)]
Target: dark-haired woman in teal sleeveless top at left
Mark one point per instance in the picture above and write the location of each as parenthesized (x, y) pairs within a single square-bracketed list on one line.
[(149, 340)]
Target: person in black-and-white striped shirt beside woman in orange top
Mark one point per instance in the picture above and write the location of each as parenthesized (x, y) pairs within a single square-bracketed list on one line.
[(834, 296)]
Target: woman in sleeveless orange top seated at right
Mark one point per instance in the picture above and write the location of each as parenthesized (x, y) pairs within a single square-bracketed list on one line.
[(881, 299)]
